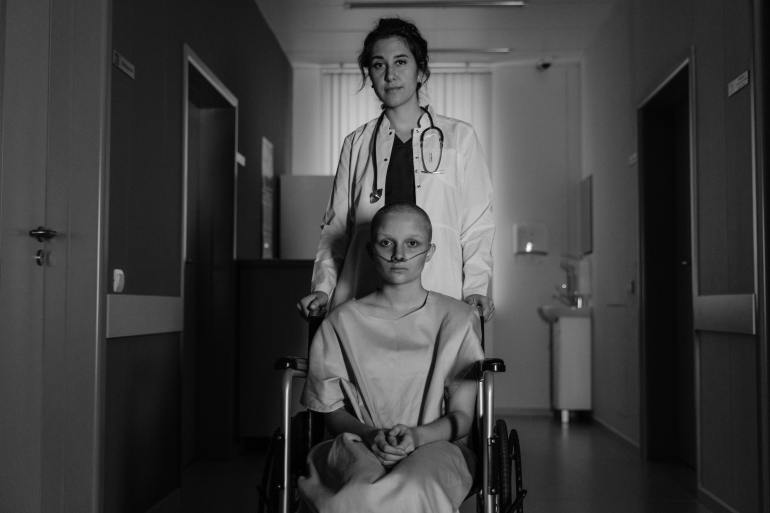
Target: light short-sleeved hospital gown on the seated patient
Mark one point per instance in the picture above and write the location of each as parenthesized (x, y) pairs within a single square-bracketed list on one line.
[(388, 372)]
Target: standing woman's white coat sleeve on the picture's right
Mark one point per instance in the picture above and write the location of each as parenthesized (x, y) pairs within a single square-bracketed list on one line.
[(477, 228)]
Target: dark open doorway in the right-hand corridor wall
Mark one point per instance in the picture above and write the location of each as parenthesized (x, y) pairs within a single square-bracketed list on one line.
[(668, 348)]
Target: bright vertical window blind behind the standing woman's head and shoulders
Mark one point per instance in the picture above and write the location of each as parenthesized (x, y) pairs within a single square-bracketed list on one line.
[(463, 95)]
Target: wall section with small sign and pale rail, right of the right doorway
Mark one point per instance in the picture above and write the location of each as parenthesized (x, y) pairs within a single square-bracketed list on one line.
[(727, 264)]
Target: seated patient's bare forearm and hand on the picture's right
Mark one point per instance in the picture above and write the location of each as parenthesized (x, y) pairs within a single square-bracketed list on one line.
[(455, 424)]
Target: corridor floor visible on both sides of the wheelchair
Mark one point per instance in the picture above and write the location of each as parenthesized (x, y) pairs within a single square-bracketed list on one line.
[(576, 468)]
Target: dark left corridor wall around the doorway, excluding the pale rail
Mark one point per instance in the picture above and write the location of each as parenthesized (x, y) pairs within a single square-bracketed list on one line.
[(143, 442)]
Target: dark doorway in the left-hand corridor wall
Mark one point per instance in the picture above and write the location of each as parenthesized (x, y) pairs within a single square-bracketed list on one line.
[(209, 346)]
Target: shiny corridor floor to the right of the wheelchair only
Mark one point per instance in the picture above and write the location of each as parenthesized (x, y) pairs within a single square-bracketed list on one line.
[(583, 468)]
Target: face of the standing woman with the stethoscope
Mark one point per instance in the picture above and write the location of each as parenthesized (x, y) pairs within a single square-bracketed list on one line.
[(393, 72)]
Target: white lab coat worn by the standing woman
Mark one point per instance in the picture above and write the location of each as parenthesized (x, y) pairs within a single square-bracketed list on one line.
[(458, 200)]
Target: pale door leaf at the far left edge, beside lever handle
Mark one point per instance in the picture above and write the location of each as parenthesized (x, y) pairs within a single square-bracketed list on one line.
[(22, 207)]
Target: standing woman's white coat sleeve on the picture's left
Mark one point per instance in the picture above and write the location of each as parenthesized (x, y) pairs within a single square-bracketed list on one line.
[(334, 240)]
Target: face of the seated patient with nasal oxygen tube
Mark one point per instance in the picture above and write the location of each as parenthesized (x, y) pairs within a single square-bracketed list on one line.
[(401, 247)]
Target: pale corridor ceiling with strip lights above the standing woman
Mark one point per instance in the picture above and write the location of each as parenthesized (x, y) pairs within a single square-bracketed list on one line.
[(327, 32)]
